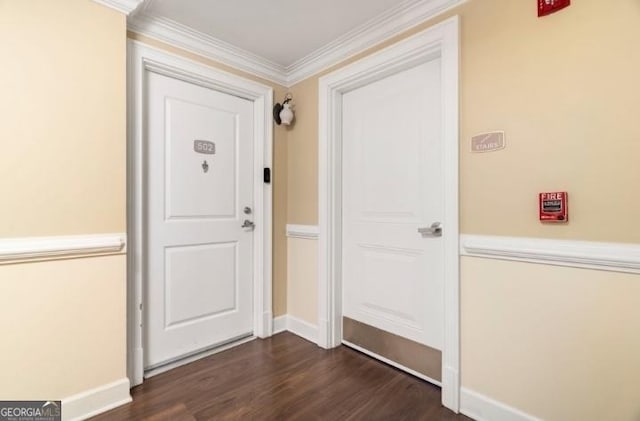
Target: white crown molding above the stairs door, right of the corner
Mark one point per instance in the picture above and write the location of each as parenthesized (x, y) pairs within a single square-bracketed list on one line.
[(403, 17)]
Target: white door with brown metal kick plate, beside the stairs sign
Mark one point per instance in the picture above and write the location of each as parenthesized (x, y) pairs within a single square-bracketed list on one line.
[(392, 276)]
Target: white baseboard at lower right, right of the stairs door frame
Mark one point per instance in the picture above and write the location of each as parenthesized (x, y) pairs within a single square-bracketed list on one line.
[(482, 408)]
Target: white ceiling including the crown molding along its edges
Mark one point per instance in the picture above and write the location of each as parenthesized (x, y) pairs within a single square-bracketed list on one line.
[(282, 41)]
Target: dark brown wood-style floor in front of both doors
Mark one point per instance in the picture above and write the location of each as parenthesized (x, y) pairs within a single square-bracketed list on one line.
[(284, 378)]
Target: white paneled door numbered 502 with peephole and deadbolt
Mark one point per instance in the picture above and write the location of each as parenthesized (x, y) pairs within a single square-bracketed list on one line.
[(199, 178)]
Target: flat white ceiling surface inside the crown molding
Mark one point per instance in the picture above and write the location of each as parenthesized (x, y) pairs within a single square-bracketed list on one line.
[(280, 31)]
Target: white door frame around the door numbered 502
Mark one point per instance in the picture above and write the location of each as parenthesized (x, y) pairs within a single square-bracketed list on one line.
[(141, 60)]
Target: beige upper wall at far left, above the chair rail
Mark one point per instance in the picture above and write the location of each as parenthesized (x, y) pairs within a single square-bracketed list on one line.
[(63, 105)]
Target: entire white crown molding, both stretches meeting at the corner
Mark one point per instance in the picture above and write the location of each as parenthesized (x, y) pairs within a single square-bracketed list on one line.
[(405, 16)]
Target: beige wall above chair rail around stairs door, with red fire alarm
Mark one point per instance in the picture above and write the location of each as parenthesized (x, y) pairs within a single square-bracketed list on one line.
[(567, 107)]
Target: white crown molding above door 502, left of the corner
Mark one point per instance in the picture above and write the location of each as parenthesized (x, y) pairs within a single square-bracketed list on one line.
[(181, 36)]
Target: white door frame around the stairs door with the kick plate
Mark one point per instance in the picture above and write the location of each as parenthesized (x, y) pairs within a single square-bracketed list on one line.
[(441, 40)]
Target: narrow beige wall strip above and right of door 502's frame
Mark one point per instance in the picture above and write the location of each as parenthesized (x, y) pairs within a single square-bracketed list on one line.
[(279, 172)]
